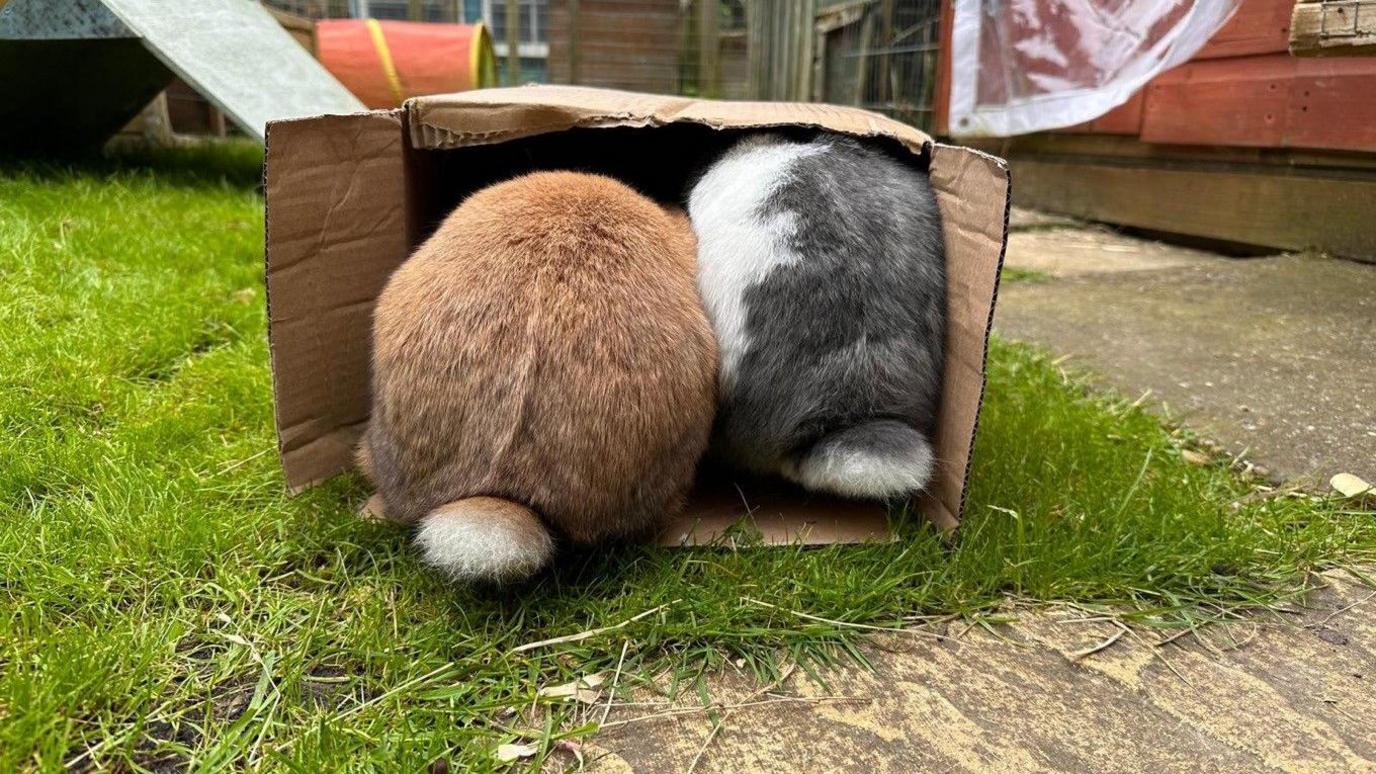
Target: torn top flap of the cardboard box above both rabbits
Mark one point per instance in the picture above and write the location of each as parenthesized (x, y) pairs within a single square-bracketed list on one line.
[(497, 115)]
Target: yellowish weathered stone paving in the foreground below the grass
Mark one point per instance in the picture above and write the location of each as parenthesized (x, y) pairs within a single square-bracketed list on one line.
[(1062, 691)]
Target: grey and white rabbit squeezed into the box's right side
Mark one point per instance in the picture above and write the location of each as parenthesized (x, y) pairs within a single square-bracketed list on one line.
[(822, 266)]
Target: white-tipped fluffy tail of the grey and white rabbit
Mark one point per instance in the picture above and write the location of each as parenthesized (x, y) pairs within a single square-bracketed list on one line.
[(879, 461)]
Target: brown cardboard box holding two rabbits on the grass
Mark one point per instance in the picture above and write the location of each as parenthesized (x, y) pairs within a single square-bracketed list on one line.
[(349, 198)]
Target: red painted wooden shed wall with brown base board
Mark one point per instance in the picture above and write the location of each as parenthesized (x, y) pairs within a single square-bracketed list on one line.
[(1243, 144)]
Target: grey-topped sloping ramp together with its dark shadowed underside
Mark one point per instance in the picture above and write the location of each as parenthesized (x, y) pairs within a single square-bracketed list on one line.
[(90, 65)]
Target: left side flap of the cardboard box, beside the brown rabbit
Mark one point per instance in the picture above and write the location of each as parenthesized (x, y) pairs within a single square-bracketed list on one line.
[(317, 170)]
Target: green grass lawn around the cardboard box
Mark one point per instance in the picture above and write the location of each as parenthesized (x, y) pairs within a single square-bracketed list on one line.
[(166, 604)]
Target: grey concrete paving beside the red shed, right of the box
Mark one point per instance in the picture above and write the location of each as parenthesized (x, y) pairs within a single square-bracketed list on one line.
[(1269, 356)]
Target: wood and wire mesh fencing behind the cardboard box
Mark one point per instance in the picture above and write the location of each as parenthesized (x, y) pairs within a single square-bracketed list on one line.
[(877, 54)]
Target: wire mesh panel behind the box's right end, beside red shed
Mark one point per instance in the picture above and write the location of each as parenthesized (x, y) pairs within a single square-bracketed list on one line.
[(881, 56)]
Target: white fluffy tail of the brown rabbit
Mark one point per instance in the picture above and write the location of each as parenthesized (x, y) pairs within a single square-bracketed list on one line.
[(485, 539)]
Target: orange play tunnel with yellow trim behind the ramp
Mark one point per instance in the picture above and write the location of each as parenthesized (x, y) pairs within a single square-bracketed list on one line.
[(386, 63)]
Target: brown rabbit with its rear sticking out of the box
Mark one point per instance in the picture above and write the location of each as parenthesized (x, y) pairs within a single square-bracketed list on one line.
[(543, 363)]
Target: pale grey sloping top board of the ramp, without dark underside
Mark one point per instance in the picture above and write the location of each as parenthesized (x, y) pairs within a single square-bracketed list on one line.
[(236, 56)]
